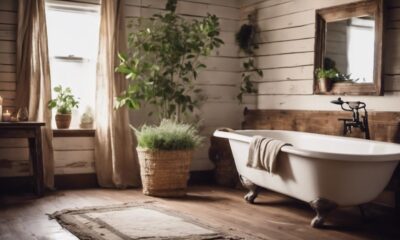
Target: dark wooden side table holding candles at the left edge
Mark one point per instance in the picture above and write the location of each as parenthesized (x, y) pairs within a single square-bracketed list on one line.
[(31, 131)]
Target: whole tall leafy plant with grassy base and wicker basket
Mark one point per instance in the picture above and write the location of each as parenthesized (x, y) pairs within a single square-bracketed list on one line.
[(162, 62)]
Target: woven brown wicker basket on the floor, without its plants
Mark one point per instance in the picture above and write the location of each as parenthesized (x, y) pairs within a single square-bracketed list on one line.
[(164, 173)]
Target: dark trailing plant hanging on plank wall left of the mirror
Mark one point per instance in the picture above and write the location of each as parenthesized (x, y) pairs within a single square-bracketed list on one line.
[(246, 39)]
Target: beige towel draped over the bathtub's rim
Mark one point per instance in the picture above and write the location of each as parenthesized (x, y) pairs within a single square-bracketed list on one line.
[(263, 153)]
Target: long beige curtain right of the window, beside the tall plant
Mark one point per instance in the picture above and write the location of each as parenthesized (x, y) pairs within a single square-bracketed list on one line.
[(116, 159)]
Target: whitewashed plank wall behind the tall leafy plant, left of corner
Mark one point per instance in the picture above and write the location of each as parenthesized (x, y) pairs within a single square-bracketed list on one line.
[(220, 81)]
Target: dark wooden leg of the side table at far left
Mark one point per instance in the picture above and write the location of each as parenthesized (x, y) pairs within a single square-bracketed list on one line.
[(35, 149)]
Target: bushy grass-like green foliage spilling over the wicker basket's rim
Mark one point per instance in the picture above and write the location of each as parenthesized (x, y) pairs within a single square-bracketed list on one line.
[(169, 135)]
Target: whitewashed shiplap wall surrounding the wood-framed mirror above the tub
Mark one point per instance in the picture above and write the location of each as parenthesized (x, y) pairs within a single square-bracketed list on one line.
[(286, 54)]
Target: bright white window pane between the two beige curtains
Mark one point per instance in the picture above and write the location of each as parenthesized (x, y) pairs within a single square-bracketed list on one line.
[(73, 36)]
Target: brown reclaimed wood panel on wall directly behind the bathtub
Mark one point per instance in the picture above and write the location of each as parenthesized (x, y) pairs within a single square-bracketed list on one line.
[(384, 126)]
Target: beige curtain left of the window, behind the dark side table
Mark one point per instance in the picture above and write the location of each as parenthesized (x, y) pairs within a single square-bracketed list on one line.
[(33, 74)]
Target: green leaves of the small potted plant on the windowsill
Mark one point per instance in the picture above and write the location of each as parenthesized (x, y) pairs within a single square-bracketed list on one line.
[(64, 102)]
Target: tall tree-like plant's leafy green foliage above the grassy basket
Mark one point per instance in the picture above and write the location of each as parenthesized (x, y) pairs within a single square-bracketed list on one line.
[(163, 61)]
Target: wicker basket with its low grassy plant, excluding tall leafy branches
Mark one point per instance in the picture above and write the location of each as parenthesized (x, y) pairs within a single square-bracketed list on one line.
[(165, 153)]
